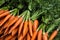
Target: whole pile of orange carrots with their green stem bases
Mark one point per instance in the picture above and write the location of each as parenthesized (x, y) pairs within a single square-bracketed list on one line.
[(23, 26)]
